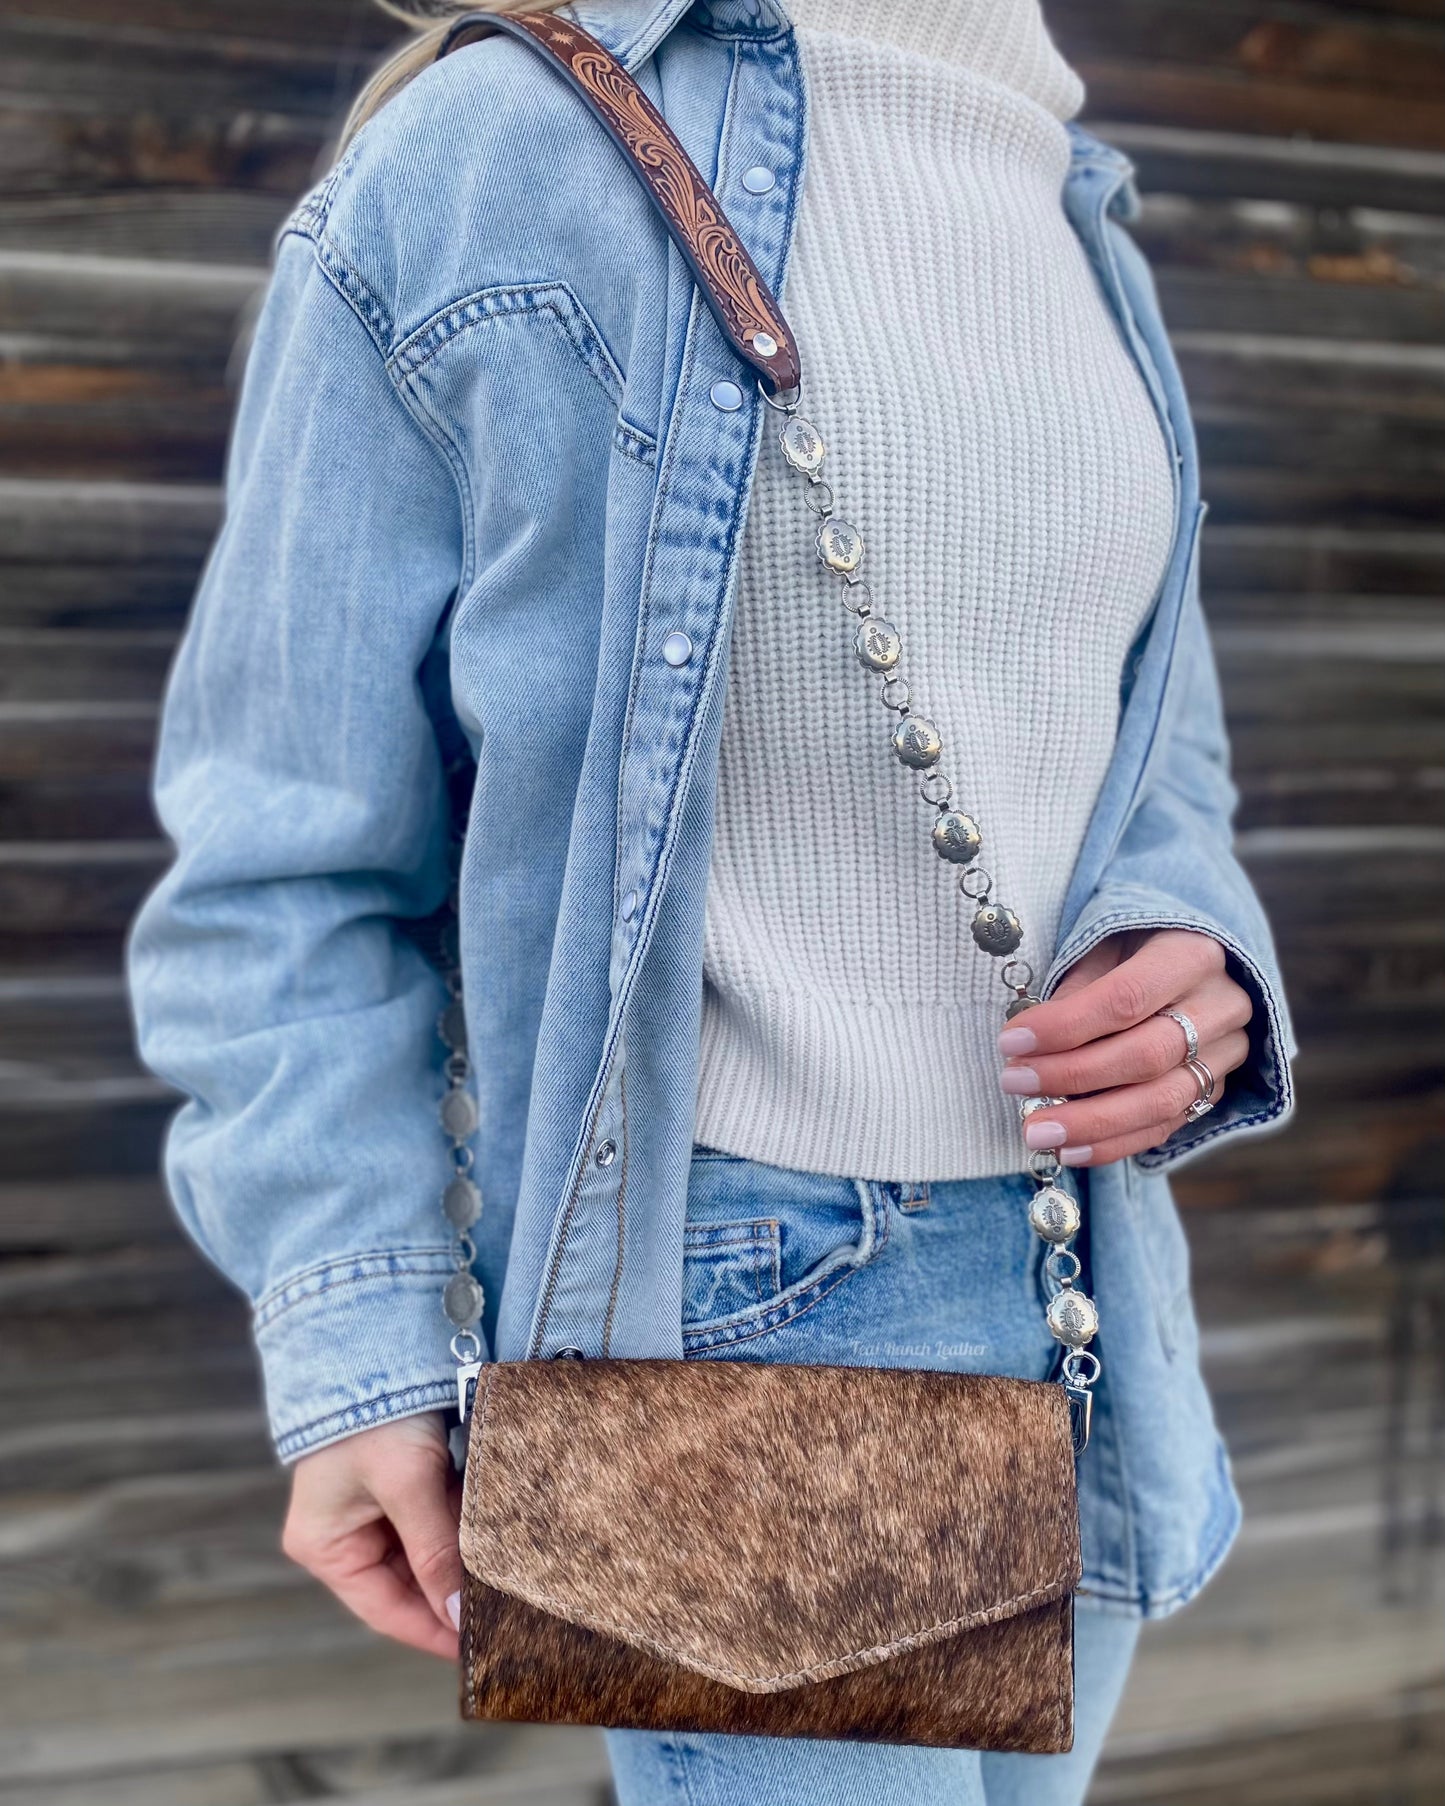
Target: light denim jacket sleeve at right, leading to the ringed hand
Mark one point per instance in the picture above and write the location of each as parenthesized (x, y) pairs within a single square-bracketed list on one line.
[(1175, 868)]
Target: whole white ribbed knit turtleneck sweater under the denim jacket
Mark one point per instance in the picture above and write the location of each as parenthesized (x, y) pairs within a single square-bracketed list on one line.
[(991, 436)]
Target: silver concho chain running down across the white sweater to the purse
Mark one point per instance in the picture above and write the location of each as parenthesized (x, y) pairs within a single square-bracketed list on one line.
[(1054, 1213)]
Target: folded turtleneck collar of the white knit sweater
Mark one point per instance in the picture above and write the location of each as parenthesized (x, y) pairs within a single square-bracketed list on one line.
[(1003, 41)]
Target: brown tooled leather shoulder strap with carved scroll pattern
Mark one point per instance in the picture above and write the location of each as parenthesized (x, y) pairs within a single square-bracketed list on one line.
[(695, 216)]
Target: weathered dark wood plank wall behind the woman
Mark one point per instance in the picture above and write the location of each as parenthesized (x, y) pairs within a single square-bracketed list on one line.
[(153, 1641)]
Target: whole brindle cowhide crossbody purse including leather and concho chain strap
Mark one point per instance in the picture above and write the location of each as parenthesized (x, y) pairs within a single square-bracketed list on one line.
[(810, 1552)]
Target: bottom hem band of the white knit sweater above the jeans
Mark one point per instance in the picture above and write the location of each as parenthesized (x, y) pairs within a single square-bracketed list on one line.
[(864, 1092)]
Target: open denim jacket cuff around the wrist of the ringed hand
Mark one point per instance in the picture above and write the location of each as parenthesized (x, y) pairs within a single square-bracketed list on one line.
[(1260, 1095)]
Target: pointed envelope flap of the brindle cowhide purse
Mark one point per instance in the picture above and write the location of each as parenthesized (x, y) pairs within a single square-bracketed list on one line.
[(765, 1525)]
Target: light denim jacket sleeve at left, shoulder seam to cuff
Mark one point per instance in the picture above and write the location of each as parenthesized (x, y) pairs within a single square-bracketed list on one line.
[(301, 781)]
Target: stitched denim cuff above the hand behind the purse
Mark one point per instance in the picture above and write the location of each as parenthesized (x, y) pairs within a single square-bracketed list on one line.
[(355, 1343)]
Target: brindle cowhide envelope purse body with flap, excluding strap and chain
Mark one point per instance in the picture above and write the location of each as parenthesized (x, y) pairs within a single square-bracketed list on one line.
[(805, 1552)]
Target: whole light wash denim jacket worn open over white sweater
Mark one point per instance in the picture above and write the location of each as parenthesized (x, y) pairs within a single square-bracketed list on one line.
[(480, 463)]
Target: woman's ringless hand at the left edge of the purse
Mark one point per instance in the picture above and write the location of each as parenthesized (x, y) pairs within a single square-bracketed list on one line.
[(375, 1518)]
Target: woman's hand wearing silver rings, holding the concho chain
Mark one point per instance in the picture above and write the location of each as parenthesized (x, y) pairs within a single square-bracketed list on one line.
[(1099, 1041)]
